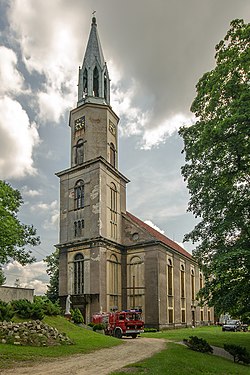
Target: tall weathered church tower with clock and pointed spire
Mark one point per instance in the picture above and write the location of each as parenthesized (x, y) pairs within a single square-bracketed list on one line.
[(92, 193)]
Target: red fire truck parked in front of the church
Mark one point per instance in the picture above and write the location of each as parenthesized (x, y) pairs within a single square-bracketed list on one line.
[(121, 323)]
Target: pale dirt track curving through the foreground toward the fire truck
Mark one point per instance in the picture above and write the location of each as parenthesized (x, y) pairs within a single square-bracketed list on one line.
[(100, 362)]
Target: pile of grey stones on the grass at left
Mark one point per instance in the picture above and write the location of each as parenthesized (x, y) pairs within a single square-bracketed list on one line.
[(34, 333)]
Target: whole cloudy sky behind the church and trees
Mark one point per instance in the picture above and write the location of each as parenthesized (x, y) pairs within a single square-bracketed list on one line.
[(156, 51)]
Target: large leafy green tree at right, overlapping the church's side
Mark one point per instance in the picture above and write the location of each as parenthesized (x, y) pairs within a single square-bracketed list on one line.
[(217, 171)]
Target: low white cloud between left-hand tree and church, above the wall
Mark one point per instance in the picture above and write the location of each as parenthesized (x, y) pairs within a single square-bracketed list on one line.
[(30, 276)]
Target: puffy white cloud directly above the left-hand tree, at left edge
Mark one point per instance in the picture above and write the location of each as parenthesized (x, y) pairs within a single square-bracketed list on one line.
[(17, 139)]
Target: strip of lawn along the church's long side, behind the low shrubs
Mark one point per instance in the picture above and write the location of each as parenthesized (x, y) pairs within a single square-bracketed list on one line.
[(213, 335)]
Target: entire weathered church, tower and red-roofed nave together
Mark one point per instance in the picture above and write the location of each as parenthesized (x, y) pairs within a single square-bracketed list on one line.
[(109, 259)]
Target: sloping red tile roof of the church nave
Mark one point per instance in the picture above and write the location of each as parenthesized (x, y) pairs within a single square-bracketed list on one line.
[(158, 236)]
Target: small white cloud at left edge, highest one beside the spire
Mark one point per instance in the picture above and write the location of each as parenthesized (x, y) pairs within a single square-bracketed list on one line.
[(10, 78)]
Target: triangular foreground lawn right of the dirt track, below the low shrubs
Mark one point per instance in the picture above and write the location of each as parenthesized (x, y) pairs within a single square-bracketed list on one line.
[(178, 359)]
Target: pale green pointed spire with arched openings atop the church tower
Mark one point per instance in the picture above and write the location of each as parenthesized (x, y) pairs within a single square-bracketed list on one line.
[(93, 82)]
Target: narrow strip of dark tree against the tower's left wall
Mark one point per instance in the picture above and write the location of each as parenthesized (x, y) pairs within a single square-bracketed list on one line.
[(53, 272)]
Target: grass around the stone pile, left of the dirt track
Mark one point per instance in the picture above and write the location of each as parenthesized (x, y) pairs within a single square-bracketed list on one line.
[(85, 341)]
